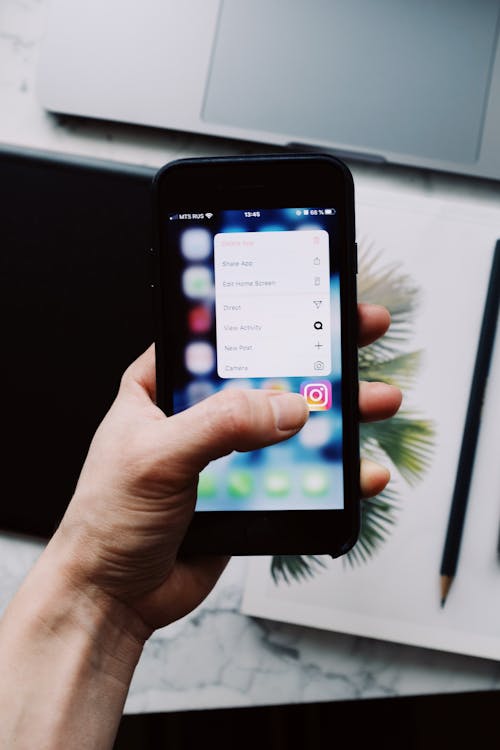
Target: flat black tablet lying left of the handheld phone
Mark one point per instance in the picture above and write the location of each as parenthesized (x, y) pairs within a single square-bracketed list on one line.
[(76, 309)]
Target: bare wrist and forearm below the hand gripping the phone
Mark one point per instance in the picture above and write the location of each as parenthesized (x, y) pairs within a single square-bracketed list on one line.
[(67, 656)]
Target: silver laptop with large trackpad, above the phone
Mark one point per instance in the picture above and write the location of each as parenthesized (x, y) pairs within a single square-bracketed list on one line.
[(413, 82)]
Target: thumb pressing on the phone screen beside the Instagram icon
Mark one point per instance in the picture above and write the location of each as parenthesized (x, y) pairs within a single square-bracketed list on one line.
[(233, 419)]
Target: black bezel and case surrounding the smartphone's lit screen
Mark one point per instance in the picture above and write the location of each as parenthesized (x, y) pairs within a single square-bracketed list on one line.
[(265, 181)]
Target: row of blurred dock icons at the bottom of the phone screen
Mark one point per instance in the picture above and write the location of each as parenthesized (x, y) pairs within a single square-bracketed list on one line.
[(312, 482)]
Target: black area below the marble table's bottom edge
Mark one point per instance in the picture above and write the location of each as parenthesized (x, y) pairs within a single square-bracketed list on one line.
[(466, 720)]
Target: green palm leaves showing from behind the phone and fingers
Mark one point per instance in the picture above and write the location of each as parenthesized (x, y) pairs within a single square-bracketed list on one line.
[(406, 439)]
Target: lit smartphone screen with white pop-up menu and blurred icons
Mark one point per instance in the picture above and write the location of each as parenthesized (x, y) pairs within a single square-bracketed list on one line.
[(258, 306)]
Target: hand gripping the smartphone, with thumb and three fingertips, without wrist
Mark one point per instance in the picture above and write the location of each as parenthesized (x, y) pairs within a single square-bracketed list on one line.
[(136, 494)]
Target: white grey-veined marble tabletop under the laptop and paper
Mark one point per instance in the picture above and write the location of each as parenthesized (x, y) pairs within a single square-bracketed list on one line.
[(217, 657)]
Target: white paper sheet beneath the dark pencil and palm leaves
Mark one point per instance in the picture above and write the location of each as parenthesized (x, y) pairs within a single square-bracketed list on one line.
[(446, 247)]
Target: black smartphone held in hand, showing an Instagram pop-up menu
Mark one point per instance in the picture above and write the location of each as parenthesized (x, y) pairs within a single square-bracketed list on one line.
[(255, 282)]
